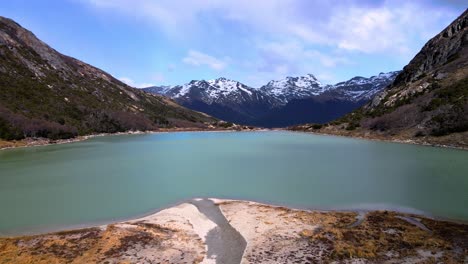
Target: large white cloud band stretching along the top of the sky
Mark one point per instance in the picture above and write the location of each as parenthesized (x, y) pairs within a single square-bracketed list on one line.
[(349, 25)]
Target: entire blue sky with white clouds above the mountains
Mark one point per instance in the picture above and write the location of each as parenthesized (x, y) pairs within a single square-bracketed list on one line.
[(171, 42)]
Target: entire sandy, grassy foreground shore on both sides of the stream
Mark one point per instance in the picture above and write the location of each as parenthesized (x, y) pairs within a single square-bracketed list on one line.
[(230, 231)]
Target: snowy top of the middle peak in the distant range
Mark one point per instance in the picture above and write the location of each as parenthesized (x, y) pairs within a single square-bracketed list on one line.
[(294, 88)]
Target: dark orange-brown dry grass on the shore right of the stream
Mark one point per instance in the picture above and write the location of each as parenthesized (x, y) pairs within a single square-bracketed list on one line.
[(383, 232)]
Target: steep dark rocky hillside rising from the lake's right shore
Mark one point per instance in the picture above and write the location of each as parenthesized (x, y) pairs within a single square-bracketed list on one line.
[(427, 102)]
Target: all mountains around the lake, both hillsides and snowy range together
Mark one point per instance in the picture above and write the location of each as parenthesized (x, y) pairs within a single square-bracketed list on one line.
[(47, 94)]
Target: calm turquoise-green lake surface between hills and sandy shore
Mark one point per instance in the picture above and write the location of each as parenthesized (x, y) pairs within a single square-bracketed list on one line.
[(119, 177)]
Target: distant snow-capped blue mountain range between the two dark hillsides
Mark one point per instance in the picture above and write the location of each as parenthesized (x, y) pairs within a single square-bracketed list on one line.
[(289, 101)]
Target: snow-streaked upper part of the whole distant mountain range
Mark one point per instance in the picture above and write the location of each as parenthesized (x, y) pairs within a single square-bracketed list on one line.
[(277, 92)]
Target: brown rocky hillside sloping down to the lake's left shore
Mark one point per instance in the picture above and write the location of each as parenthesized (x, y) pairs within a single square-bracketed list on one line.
[(47, 94)]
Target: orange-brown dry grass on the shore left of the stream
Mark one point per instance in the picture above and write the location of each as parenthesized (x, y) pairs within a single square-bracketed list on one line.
[(113, 245)]
